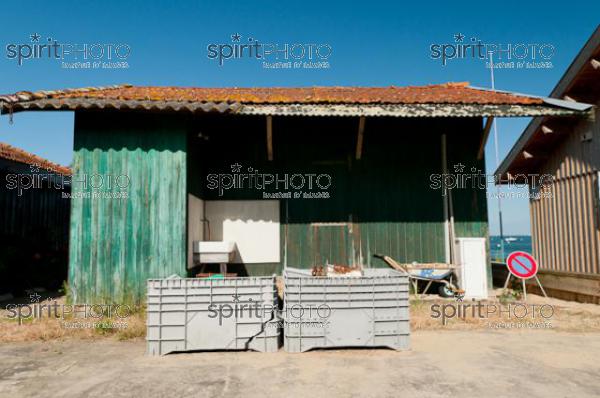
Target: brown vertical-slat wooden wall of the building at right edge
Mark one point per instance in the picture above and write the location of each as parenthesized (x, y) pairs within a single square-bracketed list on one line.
[(565, 224)]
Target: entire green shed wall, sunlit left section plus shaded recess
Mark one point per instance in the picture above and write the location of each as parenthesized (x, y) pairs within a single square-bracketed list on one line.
[(382, 203)]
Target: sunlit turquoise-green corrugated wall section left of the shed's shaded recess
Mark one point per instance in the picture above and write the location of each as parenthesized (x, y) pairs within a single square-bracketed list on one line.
[(116, 244)]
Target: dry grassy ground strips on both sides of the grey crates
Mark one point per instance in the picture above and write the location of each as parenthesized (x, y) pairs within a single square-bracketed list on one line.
[(566, 316)]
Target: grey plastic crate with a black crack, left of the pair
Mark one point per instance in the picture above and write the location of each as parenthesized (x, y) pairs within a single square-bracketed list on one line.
[(212, 314)]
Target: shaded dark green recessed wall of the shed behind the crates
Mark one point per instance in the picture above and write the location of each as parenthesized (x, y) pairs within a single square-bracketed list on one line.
[(382, 203)]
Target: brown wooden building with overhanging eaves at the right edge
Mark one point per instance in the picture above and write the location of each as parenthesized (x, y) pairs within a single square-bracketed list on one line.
[(565, 213)]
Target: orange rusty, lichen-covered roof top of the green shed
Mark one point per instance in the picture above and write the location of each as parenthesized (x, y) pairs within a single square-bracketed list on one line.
[(448, 93)]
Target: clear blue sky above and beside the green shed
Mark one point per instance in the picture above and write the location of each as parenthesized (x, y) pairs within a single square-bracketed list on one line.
[(374, 44)]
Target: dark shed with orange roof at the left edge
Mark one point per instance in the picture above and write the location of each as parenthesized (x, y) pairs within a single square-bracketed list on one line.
[(34, 221)]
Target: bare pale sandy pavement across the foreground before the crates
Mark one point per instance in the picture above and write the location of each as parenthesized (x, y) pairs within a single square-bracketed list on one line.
[(532, 363)]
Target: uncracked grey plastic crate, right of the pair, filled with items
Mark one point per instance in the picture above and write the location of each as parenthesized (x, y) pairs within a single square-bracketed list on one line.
[(367, 311)]
